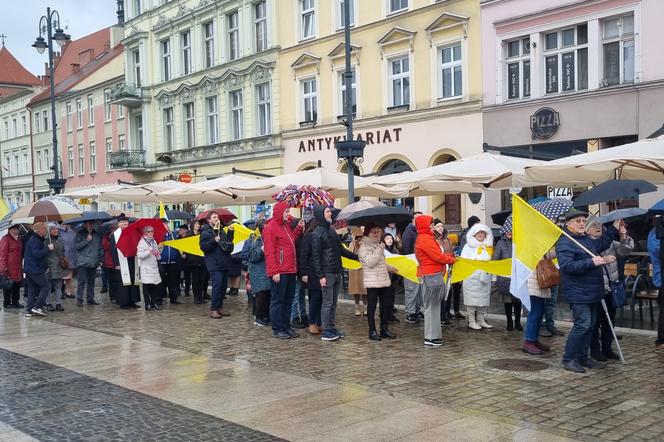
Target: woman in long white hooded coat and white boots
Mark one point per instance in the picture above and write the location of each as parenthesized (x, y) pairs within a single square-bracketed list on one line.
[(477, 287)]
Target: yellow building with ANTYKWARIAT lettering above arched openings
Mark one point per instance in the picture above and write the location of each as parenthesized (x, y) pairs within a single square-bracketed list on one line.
[(416, 91)]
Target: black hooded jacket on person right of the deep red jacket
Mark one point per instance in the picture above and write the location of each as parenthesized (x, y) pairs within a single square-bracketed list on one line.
[(326, 248)]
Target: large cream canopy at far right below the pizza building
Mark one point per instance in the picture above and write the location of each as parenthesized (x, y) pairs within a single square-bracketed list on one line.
[(643, 160)]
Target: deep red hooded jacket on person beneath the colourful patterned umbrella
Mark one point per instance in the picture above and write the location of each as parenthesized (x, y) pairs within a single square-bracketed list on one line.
[(279, 240)]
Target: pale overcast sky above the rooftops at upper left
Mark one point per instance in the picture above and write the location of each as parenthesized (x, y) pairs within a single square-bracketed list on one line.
[(19, 21)]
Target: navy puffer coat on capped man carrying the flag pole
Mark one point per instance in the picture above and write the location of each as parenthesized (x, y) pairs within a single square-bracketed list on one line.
[(583, 281)]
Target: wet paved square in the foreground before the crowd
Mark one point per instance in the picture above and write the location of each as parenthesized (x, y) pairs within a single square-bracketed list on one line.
[(307, 389)]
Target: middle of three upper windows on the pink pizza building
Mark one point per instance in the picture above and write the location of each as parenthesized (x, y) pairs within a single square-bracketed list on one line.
[(566, 60)]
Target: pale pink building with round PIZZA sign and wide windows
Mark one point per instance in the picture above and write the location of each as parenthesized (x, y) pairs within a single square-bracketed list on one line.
[(570, 76)]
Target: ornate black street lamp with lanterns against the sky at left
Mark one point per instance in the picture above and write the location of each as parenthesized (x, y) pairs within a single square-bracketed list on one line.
[(47, 24)]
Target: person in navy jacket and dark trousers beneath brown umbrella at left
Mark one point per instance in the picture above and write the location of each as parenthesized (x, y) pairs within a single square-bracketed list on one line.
[(35, 265)]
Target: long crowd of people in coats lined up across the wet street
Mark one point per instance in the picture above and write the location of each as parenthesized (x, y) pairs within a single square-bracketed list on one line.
[(290, 262)]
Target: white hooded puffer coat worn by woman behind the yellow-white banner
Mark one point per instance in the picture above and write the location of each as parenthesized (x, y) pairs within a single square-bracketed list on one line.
[(477, 287)]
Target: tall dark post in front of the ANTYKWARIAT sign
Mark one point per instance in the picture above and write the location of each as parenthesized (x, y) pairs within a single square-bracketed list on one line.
[(349, 150)]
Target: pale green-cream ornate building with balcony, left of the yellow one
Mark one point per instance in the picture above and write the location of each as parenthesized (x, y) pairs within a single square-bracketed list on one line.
[(201, 88)]
